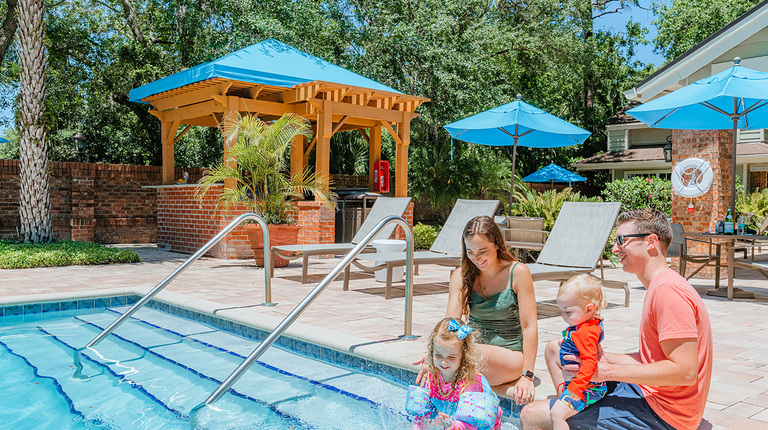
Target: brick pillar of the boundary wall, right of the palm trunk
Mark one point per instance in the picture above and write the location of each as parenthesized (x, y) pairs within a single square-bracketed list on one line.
[(82, 221)]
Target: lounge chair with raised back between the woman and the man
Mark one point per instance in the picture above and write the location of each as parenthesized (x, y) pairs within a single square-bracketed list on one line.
[(576, 243)]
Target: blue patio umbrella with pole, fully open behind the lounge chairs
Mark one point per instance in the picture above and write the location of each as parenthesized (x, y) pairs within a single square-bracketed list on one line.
[(517, 123)]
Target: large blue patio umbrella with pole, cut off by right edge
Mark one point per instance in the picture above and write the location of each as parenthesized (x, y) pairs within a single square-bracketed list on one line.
[(734, 98)]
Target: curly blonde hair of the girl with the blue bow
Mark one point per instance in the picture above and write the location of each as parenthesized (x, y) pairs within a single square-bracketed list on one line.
[(467, 371)]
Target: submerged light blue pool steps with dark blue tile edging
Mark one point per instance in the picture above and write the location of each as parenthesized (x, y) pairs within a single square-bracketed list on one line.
[(208, 356)]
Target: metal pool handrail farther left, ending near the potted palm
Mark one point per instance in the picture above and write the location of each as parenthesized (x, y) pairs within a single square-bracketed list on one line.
[(211, 243)]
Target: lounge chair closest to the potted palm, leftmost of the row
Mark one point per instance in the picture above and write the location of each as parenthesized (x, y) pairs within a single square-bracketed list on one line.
[(382, 208)]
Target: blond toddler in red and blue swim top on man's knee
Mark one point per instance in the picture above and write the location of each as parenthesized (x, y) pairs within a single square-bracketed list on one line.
[(580, 300)]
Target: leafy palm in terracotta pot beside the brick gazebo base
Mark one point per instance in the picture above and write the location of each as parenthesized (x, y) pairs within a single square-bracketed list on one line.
[(255, 174)]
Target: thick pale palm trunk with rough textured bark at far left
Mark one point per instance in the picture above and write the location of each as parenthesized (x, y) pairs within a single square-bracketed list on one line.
[(34, 201)]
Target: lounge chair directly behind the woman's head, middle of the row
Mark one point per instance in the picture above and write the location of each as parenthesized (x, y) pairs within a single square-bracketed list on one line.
[(445, 251)]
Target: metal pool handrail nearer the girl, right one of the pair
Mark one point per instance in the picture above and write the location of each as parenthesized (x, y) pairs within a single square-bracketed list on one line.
[(266, 343)]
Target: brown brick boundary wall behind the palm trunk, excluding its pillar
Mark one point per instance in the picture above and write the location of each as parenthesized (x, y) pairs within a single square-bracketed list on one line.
[(93, 202)]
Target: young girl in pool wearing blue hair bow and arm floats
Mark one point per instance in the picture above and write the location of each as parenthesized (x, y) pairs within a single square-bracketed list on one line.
[(455, 396)]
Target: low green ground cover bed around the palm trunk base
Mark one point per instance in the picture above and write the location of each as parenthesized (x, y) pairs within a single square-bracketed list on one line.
[(63, 253)]
